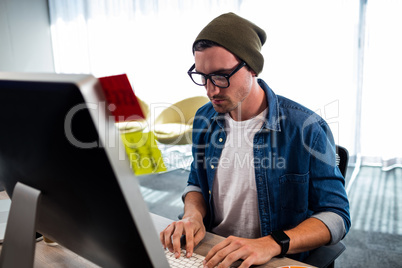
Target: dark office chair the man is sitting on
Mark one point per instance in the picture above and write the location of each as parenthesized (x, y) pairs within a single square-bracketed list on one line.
[(324, 257)]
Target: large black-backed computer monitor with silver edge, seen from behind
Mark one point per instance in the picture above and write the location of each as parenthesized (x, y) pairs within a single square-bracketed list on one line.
[(59, 143)]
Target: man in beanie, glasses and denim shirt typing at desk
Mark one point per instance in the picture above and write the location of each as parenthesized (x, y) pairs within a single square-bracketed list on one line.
[(264, 172)]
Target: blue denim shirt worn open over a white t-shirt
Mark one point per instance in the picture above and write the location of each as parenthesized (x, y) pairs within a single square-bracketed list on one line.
[(294, 161)]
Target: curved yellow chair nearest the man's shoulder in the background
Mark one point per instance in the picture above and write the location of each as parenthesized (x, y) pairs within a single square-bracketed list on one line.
[(175, 124)]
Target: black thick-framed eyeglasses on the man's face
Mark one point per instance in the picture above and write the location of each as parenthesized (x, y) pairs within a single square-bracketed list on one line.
[(219, 80)]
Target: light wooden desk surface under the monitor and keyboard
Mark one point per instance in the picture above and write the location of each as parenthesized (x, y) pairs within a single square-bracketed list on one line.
[(58, 256)]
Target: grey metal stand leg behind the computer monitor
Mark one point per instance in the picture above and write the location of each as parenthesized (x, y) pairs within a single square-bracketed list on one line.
[(19, 240)]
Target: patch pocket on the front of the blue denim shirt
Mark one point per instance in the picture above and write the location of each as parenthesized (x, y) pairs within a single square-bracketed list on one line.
[(294, 192)]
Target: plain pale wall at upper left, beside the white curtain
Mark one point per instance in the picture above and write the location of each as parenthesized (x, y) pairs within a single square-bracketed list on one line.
[(25, 41)]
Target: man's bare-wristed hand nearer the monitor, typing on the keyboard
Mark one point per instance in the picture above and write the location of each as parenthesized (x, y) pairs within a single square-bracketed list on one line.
[(192, 227)]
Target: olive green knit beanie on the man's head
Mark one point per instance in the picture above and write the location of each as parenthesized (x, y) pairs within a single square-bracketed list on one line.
[(238, 35)]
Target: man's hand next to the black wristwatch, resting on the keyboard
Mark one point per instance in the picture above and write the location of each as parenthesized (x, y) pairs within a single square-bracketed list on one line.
[(251, 251)]
